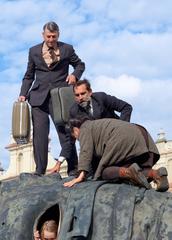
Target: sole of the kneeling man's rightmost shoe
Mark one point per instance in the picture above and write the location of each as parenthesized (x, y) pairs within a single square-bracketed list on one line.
[(164, 186)]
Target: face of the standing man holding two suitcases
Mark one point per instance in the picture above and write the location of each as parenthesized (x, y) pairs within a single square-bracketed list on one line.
[(50, 38)]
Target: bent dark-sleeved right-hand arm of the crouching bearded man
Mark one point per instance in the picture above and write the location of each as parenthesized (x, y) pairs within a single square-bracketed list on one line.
[(113, 103)]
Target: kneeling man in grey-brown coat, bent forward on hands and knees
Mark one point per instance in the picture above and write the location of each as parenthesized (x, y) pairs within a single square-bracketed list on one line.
[(125, 151)]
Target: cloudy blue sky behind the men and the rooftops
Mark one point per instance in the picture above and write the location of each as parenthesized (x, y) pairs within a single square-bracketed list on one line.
[(126, 45)]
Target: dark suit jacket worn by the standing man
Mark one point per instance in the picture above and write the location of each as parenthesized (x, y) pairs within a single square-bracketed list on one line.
[(41, 79)]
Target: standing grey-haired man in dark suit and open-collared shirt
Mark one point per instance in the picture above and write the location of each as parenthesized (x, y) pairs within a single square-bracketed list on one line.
[(48, 68)]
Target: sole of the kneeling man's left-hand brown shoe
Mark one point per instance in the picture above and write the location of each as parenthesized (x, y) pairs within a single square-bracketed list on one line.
[(142, 180)]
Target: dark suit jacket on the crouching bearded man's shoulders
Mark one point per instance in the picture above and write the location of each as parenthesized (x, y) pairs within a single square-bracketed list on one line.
[(104, 106)]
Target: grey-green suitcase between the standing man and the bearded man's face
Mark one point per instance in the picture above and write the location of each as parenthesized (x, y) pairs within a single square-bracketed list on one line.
[(62, 100)]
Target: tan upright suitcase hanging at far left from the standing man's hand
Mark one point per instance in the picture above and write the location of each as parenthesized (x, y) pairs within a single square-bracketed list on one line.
[(21, 122)]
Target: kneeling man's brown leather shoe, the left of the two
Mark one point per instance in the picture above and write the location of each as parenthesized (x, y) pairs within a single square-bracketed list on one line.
[(135, 176)]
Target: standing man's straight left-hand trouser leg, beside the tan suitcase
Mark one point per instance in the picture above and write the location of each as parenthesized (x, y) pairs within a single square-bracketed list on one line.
[(40, 138)]
